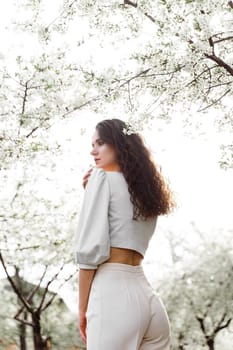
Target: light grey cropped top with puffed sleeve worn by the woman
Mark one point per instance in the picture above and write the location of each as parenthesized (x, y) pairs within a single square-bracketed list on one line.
[(106, 220)]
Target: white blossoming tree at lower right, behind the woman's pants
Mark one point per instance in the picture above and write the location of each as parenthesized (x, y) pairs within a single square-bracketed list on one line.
[(200, 298)]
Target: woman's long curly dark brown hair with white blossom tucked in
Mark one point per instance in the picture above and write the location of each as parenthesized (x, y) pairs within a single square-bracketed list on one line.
[(149, 192)]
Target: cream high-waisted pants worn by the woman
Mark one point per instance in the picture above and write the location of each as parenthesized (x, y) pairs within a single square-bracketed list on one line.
[(123, 311)]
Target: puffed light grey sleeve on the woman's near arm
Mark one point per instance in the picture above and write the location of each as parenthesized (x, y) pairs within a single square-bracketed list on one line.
[(92, 243)]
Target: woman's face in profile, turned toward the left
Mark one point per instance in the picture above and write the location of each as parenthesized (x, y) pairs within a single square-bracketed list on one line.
[(104, 154)]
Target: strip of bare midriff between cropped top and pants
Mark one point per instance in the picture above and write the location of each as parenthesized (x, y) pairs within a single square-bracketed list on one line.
[(125, 256)]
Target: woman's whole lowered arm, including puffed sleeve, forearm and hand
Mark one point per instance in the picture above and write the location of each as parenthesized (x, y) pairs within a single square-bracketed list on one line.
[(92, 241)]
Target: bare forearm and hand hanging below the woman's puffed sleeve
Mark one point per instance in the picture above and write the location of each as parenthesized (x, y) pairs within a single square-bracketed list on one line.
[(85, 281)]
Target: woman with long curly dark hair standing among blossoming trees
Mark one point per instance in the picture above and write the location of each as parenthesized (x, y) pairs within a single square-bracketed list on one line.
[(124, 195)]
